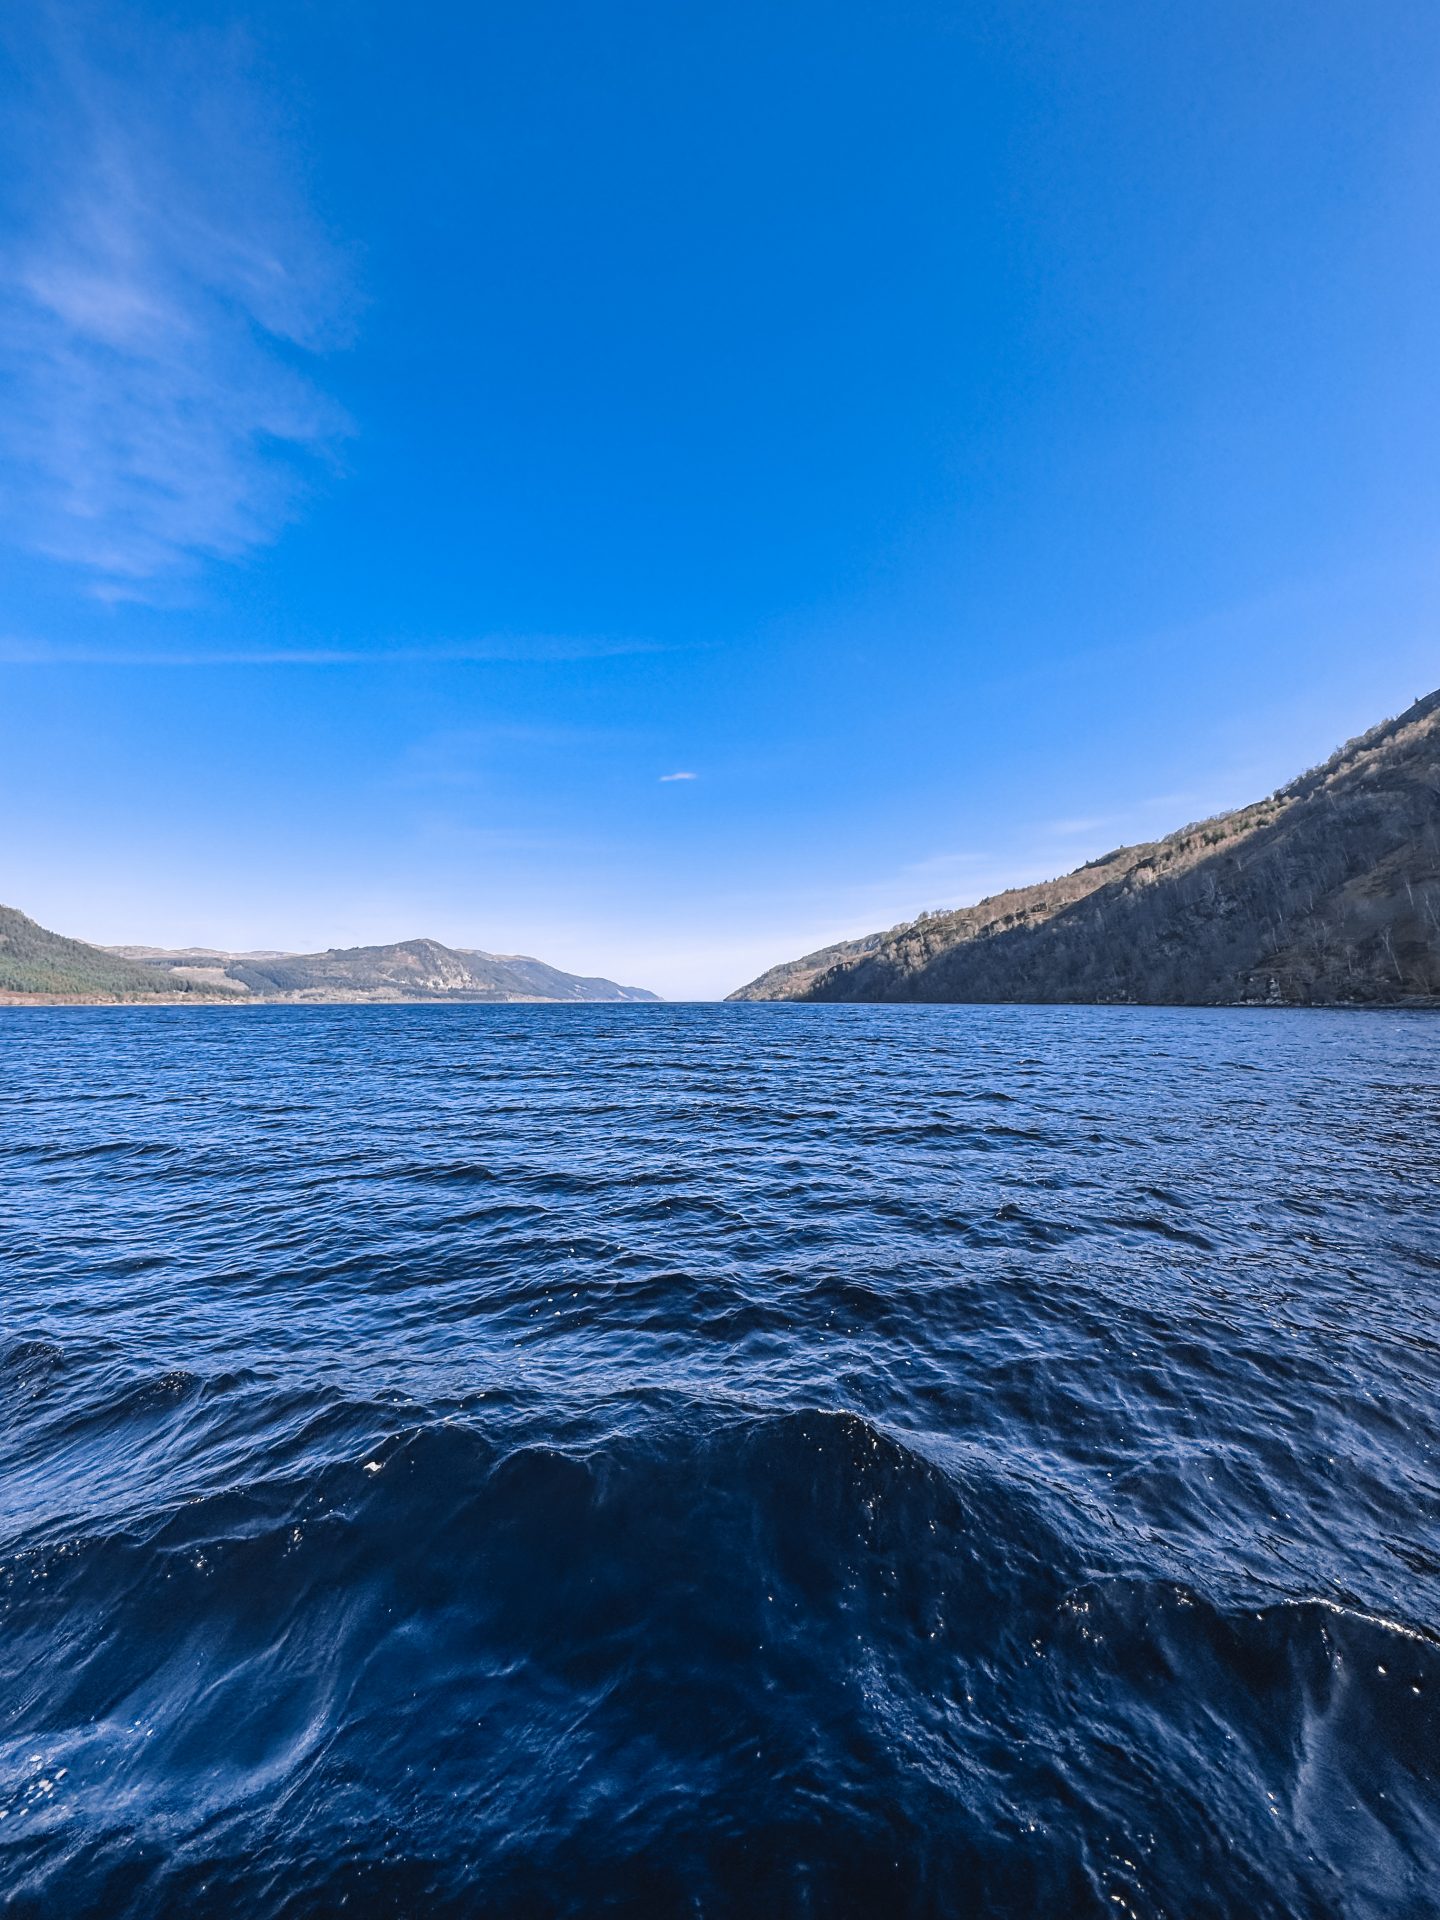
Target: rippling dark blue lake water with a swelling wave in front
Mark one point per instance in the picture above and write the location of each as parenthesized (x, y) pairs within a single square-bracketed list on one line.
[(719, 1462)]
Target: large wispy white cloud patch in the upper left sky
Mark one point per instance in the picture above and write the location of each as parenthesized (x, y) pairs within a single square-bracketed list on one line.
[(164, 293)]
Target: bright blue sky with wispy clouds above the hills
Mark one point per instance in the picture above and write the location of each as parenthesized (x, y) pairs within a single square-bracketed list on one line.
[(957, 439)]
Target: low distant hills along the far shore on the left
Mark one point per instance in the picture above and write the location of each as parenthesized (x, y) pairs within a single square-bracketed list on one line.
[(41, 965)]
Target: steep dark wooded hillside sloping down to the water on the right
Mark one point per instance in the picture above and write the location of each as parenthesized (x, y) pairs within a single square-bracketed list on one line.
[(1328, 894)]
